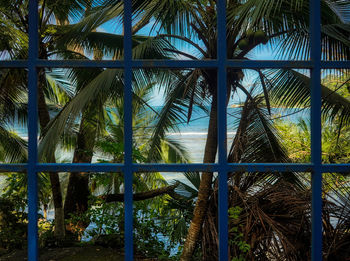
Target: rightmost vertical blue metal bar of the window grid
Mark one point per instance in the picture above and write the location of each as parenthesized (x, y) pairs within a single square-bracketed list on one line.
[(316, 146)]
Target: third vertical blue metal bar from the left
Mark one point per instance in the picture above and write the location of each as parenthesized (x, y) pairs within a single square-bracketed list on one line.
[(222, 130)]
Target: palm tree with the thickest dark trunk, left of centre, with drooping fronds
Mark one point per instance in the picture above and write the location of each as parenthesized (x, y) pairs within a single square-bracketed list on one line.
[(102, 84)]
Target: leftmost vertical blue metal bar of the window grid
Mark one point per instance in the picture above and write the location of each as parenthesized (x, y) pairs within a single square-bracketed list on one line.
[(32, 132)]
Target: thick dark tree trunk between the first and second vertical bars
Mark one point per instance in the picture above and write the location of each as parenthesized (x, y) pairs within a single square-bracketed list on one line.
[(78, 192)]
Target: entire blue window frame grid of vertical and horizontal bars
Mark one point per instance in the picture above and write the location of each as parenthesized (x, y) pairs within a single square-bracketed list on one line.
[(222, 167)]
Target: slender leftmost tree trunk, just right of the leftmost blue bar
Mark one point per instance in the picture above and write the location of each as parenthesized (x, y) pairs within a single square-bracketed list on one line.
[(44, 119)]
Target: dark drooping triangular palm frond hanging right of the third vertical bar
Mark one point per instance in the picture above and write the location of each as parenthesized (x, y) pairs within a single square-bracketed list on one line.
[(257, 140)]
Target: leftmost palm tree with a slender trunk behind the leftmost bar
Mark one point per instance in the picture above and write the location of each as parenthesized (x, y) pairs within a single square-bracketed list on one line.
[(14, 17)]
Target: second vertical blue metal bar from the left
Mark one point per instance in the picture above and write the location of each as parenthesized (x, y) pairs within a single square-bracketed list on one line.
[(128, 173)]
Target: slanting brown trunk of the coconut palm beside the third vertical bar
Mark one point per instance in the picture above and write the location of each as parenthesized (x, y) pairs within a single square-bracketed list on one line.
[(204, 187)]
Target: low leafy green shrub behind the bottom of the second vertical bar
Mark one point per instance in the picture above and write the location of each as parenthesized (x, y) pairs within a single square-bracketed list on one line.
[(108, 228)]
